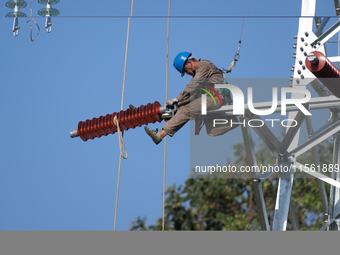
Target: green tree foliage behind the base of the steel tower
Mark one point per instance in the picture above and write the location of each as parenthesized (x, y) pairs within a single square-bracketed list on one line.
[(228, 203)]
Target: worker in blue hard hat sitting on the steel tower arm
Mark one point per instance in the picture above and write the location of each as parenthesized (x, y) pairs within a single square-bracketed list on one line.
[(189, 101)]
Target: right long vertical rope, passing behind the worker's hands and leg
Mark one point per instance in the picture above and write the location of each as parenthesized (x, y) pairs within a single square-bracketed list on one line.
[(166, 98)]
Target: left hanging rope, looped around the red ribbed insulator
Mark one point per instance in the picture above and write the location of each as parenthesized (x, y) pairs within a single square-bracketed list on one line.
[(121, 155)]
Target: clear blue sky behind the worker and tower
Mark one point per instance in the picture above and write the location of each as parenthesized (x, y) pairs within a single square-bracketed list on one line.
[(49, 181)]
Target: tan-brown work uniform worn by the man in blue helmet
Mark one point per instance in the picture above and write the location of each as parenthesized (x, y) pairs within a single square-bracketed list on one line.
[(189, 100)]
